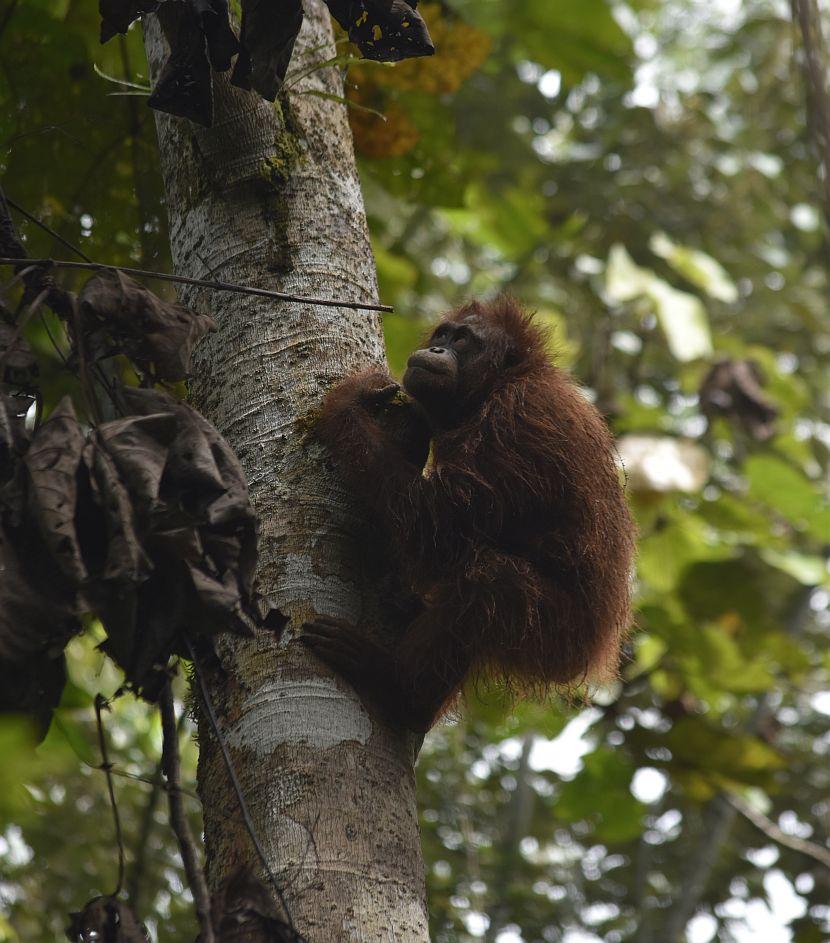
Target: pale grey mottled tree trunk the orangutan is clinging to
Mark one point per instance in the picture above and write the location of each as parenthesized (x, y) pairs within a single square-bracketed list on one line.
[(270, 197)]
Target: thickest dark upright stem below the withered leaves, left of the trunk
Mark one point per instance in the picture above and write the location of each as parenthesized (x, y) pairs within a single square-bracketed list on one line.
[(178, 818)]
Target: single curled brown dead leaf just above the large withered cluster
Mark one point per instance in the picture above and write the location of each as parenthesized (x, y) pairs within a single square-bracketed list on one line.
[(120, 316)]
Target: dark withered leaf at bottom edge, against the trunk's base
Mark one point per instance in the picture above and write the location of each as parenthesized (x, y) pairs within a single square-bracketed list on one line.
[(243, 911)]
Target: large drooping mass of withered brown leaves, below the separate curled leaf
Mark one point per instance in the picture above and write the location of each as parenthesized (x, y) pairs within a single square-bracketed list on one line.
[(144, 522)]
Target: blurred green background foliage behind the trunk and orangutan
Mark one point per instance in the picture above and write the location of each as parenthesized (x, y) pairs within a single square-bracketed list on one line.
[(642, 175)]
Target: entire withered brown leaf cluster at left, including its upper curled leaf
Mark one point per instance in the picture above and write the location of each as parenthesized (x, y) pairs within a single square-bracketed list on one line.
[(143, 521)]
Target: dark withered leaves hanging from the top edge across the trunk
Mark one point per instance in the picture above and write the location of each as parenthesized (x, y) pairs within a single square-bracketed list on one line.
[(202, 41)]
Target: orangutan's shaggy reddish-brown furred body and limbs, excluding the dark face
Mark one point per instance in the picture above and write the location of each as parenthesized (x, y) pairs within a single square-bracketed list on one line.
[(517, 540)]
